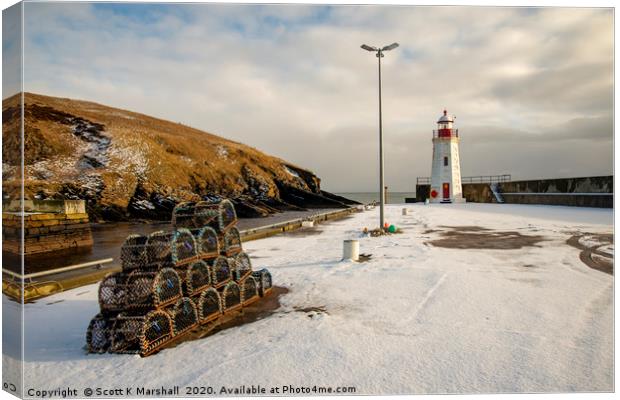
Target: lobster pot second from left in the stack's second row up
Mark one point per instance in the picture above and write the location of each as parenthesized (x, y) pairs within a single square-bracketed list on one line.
[(147, 290)]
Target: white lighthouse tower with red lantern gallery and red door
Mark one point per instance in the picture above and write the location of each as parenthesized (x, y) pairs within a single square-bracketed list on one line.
[(446, 171)]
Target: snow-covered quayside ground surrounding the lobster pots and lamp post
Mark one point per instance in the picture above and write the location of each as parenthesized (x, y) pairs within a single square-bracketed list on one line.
[(413, 319)]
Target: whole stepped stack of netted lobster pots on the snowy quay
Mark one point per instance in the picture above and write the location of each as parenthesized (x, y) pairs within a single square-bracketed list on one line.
[(173, 282)]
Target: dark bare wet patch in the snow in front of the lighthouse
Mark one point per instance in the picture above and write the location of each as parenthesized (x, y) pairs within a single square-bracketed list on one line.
[(474, 237)]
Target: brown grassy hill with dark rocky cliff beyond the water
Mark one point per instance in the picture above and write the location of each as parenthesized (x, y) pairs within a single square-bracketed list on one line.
[(130, 165)]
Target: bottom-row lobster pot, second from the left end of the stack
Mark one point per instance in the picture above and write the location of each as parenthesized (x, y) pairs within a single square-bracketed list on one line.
[(142, 333)]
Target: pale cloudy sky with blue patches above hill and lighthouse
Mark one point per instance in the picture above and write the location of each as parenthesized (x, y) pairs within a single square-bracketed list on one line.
[(531, 88)]
